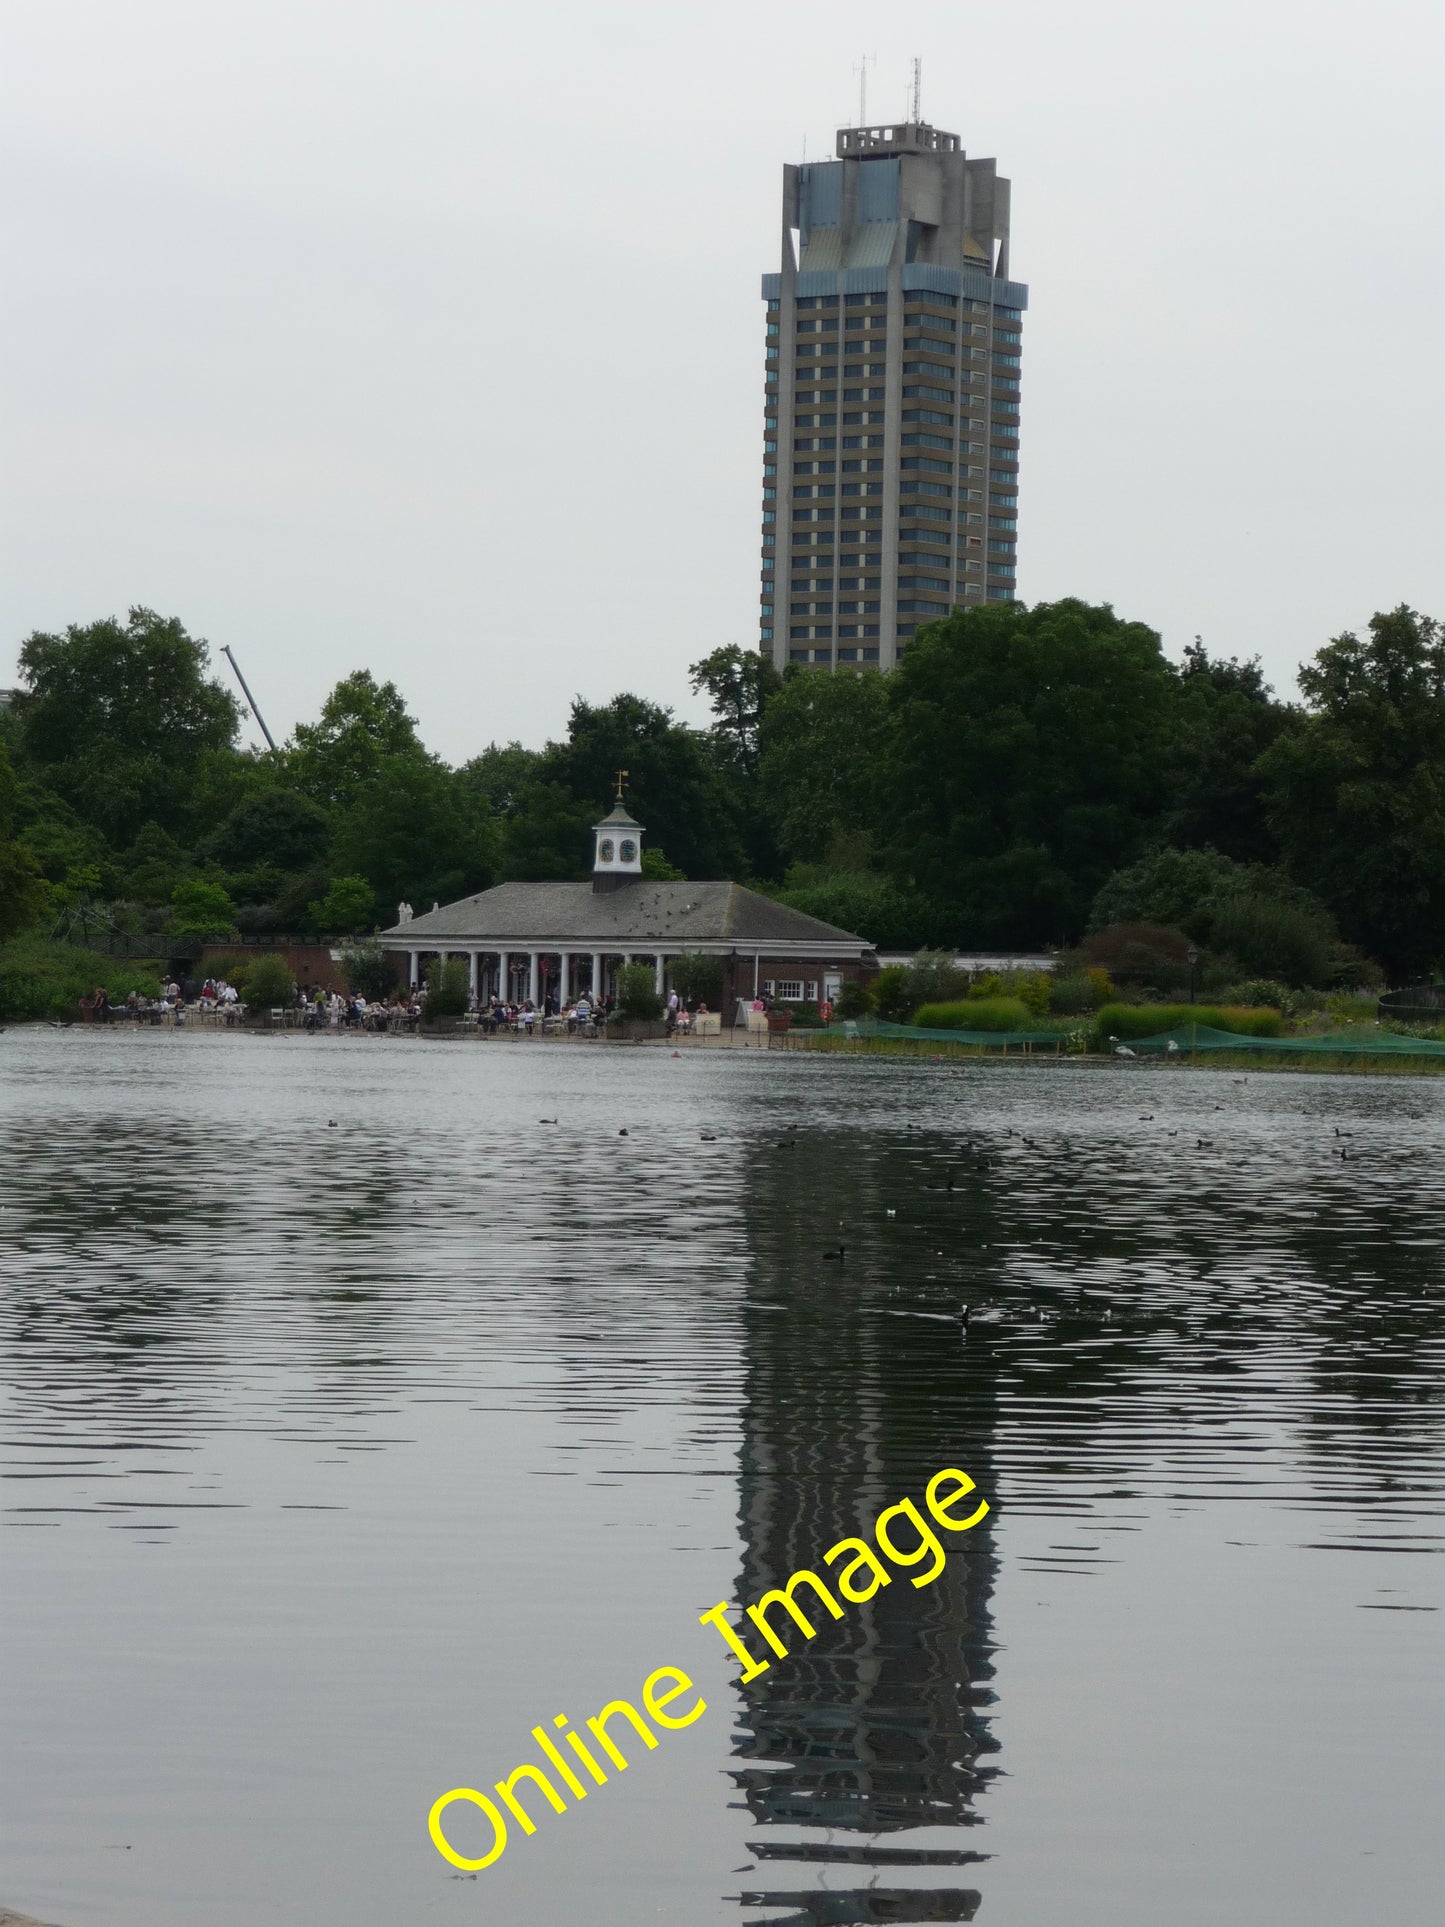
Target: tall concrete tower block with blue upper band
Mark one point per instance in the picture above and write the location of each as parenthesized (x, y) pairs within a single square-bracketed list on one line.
[(891, 444)]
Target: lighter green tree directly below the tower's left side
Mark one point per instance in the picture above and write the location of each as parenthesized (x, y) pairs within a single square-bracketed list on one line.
[(822, 741)]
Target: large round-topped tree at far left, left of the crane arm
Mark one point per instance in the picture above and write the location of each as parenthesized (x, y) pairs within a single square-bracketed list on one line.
[(117, 718)]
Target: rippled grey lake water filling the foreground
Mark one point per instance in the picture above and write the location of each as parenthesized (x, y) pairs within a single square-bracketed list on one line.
[(357, 1421)]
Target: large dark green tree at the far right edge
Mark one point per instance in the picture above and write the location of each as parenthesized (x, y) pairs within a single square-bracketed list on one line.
[(1357, 789)]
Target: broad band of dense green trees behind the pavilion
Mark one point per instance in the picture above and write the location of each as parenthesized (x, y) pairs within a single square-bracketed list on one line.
[(1028, 778)]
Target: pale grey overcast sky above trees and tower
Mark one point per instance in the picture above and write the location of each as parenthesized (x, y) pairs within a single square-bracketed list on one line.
[(427, 336)]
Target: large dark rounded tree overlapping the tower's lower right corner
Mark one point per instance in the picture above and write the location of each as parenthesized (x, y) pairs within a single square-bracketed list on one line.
[(1026, 760)]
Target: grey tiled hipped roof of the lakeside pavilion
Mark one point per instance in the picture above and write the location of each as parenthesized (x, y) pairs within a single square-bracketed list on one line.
[(641, 912)]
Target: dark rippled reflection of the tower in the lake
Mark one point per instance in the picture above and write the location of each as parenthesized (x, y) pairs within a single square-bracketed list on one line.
[(853, 1402)]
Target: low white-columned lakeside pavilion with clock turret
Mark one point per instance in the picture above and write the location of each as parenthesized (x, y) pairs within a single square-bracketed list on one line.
[(537, 941)]
